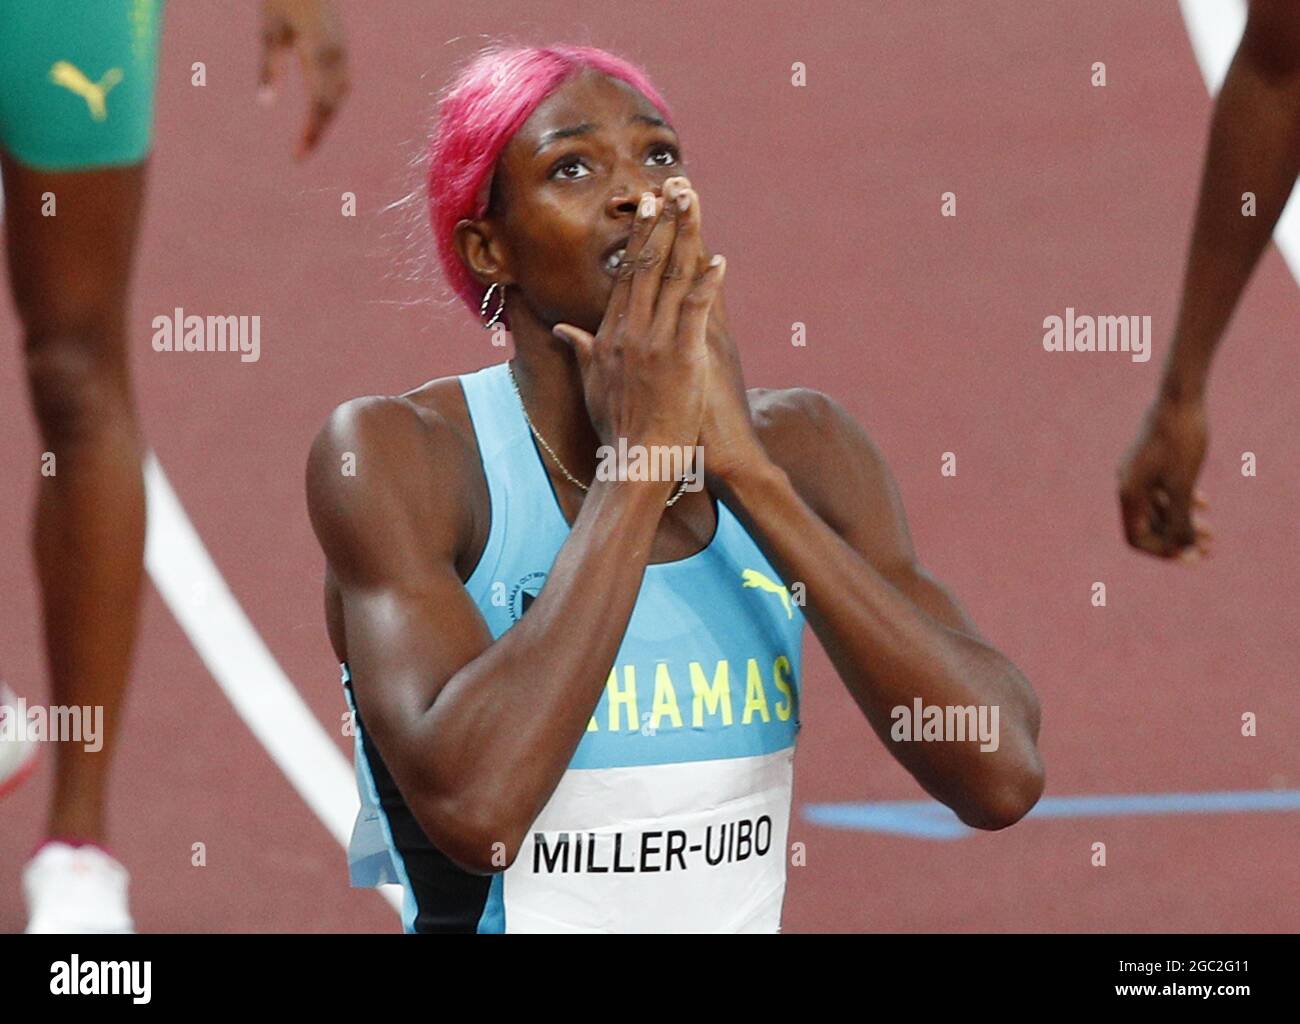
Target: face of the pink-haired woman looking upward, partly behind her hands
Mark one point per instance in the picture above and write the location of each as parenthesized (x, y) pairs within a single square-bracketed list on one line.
[(570, 181)]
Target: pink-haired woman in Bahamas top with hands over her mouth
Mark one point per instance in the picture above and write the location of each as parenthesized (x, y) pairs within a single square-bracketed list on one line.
[(577, 697)]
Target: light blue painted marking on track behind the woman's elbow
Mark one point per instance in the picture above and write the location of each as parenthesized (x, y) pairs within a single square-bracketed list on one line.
[(931, 821)]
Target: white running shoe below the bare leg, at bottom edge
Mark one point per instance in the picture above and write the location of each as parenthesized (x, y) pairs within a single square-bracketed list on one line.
[(76, 891)]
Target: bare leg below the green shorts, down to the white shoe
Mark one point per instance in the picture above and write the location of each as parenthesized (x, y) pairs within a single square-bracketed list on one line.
[(70, 275)]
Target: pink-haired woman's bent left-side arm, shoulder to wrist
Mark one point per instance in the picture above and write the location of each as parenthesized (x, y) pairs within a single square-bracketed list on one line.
[(476, 734)]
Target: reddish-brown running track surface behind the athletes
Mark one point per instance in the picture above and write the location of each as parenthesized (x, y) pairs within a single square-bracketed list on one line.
[(929, 329)]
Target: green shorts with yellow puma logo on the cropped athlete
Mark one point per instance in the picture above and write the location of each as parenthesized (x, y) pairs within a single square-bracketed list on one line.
[(77, 81)]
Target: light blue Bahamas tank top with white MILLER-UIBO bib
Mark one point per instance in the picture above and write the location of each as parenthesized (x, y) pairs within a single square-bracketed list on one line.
[(674, 813)]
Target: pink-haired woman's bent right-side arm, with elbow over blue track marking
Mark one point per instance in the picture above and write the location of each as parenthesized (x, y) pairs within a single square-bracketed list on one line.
[(818, 498)]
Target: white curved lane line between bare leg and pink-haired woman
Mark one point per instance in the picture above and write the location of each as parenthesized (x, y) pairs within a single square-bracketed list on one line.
[(244, 667)]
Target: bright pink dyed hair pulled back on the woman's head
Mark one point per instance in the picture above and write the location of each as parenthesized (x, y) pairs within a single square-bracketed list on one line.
[(479, 114)]
